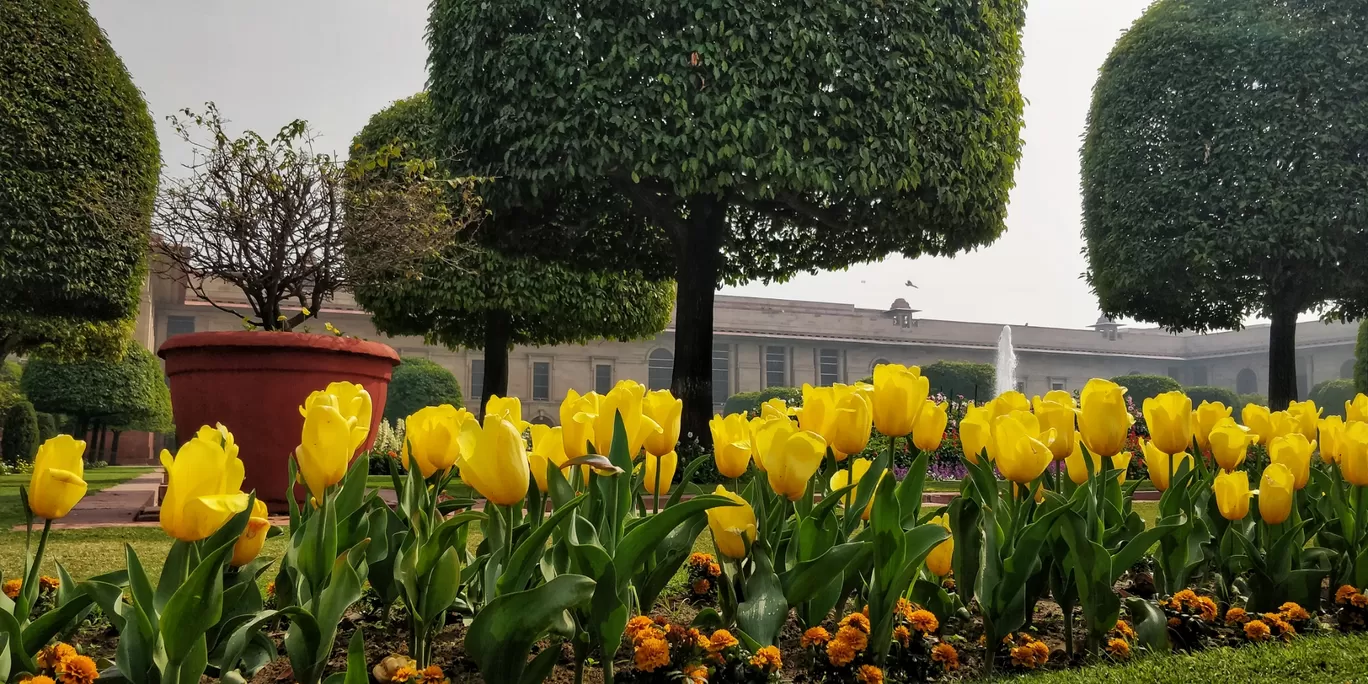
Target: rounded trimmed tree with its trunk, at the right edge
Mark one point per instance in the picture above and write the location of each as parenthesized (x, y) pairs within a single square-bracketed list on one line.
[(1224, 169)]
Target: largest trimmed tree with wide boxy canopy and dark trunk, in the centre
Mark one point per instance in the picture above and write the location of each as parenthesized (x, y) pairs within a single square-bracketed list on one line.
[(761, 140)]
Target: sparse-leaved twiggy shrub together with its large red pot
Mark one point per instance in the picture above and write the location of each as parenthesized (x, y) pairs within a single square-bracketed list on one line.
[(266, 215)]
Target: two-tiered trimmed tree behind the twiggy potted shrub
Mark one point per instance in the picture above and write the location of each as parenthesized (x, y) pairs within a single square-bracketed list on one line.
[(475, 298)]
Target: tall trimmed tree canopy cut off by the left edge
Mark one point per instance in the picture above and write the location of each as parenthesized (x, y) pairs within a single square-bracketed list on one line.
[(79, 174)]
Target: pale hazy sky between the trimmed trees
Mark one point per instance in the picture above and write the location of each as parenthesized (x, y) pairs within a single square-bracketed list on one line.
[(336, 62)]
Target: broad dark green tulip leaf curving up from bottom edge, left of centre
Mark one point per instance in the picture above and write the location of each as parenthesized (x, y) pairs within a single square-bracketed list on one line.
[(504, 633)]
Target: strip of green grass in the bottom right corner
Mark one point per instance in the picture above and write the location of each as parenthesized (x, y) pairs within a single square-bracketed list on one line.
[(1332, 659)]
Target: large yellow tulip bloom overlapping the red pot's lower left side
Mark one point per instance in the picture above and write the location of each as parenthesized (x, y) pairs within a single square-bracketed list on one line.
[(205, 484)]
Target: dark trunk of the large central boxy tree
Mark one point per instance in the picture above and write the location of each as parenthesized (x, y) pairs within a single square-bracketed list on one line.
[(700, 262)]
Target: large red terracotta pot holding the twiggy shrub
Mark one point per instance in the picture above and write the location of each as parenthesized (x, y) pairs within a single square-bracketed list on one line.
[(256, 382)]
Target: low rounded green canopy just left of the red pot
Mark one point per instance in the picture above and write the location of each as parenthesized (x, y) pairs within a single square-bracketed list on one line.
[(127, 395)]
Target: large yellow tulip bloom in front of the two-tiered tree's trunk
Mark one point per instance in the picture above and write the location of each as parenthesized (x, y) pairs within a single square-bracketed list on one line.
[(495, 459)]
